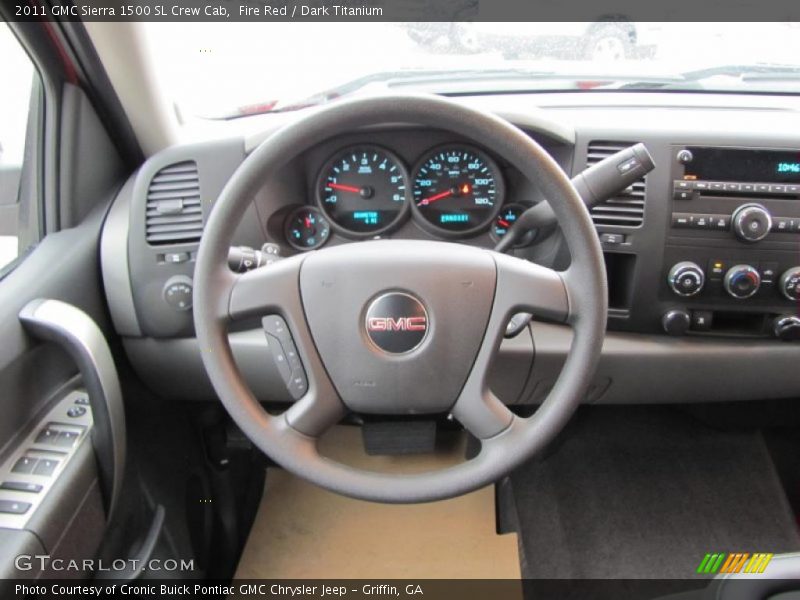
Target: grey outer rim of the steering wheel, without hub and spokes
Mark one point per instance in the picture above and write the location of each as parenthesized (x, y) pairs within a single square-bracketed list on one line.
[(585, 281)]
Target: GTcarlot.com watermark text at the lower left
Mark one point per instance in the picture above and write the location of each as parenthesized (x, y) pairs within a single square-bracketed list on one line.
[(44, 562)]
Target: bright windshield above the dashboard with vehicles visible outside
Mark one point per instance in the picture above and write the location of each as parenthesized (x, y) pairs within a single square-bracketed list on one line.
[(236, 69)]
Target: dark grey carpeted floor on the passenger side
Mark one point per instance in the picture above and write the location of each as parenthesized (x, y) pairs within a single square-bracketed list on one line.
[(635, 492)]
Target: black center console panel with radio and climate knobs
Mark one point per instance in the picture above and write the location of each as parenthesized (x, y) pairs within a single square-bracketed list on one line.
[(731, 264)]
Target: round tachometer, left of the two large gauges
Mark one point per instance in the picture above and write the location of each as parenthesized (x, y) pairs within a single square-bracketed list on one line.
[(363, 190)]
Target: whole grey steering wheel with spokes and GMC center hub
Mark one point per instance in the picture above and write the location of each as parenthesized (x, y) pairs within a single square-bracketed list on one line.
[(399, 327)]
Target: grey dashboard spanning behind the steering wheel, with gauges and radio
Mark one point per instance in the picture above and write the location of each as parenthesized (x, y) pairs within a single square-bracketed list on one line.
[(702, 255)]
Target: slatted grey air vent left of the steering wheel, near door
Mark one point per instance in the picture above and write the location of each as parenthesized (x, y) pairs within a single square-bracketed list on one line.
[(174, 213)]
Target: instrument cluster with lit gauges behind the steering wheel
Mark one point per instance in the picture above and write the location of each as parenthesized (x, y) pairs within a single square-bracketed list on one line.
[(365, 190)]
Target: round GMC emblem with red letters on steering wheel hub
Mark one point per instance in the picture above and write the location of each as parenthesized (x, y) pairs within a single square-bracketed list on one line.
[(396, 323)]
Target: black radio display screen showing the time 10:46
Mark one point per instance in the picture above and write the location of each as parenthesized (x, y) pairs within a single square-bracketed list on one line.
[(728, 164)]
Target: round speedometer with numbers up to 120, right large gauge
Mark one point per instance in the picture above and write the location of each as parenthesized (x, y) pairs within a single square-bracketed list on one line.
[(457, 190)]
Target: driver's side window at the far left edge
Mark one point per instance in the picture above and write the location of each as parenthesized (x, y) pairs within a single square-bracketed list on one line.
[(17, 74)]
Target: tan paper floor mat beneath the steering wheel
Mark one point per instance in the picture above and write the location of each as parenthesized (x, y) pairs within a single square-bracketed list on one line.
[(302, 531)]
